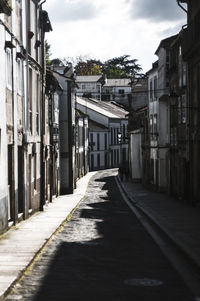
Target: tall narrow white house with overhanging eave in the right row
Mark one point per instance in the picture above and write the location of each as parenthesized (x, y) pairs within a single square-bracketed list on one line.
[(163, 122)]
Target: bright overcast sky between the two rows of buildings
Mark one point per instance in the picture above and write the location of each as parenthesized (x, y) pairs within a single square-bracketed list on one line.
[(104, 29)]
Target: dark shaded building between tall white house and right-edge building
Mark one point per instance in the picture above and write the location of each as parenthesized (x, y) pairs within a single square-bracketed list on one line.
[(179, 151)]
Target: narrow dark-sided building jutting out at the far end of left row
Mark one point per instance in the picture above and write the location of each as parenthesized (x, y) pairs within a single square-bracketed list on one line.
[(66, 129)]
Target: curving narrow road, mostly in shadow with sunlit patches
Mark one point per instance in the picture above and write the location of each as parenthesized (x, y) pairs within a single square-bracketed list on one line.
[(102, 253)]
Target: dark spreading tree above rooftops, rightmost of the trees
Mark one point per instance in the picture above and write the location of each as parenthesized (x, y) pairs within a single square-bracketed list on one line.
[(121, 67)]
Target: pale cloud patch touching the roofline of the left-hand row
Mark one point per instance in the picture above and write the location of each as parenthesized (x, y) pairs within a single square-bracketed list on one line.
[(72, 10)]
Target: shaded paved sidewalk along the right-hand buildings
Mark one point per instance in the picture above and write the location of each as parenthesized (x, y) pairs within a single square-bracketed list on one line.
[(179, 221)]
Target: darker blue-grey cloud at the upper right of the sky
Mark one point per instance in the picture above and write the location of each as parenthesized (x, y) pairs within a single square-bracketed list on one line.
[(156, 10)]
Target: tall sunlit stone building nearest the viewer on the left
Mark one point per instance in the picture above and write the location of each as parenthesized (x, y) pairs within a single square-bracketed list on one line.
[(22, 30)]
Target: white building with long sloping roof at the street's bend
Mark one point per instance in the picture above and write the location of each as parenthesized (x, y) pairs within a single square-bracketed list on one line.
[(106, 121)]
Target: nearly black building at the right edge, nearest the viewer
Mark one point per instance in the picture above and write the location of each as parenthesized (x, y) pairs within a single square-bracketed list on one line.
[(191, 55)]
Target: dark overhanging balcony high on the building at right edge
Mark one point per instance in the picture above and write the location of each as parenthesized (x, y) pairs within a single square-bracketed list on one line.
[(191, 37)]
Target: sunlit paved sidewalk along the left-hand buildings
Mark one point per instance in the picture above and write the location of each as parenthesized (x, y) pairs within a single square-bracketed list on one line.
[(21, 244)]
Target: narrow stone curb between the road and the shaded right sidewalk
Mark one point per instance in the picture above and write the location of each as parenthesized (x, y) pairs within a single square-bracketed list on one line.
[(186, 251)]
